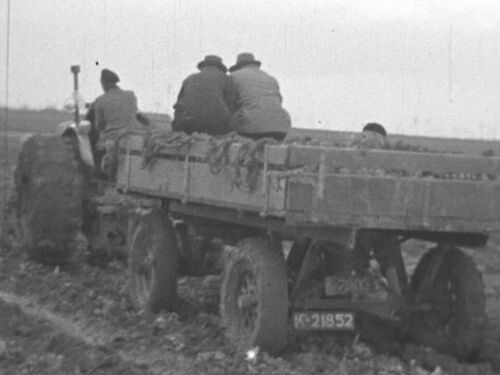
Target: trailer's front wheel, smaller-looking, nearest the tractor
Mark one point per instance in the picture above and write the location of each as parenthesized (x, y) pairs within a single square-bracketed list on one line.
[(153, 263)]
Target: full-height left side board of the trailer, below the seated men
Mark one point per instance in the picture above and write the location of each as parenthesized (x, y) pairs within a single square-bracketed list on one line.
[(188, 177)]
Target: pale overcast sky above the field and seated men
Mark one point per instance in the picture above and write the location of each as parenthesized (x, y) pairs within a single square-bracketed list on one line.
[(418, 67)]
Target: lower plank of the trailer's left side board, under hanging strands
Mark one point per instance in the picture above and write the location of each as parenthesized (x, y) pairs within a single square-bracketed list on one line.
[(167, 178)]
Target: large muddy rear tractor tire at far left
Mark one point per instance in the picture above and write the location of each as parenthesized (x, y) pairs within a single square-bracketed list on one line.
[(49, 200)]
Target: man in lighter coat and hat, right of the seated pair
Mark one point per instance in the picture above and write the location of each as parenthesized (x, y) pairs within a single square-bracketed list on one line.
[(258, 112)]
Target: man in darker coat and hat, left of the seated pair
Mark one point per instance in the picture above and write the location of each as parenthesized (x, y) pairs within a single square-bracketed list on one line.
[(205, 101)]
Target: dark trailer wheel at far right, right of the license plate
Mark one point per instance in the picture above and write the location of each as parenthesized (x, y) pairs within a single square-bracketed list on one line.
[(456, 321)]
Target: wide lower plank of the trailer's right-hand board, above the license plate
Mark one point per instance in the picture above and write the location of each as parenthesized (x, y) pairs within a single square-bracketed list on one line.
[(392, 203)]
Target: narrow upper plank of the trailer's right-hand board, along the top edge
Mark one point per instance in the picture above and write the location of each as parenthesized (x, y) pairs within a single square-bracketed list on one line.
[(389, 160)]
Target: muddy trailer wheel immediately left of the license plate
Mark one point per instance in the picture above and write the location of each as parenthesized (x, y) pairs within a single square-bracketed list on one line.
[(254, 301)]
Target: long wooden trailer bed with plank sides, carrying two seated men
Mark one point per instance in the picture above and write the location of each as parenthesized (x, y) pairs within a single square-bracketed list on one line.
[(328, 186)]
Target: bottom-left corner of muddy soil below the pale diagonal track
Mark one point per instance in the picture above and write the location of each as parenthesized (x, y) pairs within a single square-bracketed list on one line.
[(30, 344)]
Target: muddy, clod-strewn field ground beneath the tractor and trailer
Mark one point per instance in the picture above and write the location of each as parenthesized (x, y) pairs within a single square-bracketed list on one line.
[(80, 321)]
